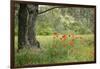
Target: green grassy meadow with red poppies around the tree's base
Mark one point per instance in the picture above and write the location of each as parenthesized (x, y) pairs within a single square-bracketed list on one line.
[(55, 50)]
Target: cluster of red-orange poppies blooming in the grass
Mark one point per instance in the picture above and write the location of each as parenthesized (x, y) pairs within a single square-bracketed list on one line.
[(64, 37)]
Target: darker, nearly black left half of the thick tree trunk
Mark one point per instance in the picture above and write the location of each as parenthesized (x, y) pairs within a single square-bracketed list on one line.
[(22, 19)]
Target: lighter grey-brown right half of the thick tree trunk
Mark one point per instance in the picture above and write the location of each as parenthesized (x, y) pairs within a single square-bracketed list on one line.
[(31, 34)]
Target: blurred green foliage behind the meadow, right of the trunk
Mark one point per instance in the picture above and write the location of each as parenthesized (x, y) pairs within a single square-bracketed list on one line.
[(65, 20)]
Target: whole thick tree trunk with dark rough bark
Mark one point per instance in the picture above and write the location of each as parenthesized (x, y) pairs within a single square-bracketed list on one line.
[(27, 19)]
